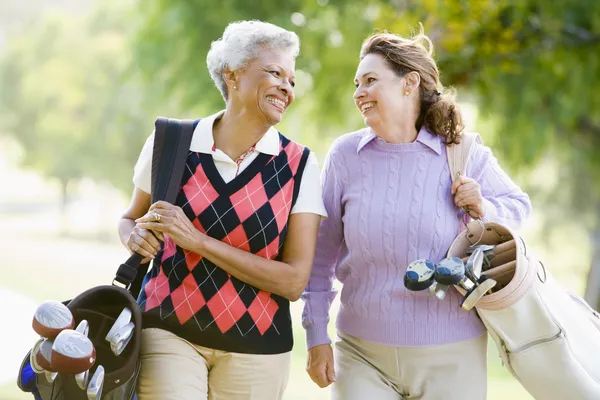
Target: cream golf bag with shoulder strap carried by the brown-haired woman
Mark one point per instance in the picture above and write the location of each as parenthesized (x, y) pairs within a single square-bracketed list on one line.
[(547, 338)]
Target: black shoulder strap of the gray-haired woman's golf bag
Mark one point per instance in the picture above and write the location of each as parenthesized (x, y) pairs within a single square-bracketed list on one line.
[(172, 140)]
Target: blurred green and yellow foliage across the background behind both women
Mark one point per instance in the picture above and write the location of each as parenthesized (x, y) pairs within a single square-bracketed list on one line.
[(76, 92)]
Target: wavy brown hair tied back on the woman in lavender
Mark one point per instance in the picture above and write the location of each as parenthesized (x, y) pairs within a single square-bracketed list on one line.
[(438, 110)]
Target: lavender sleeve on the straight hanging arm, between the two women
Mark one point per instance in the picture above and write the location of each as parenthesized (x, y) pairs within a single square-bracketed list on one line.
[(319, 293)]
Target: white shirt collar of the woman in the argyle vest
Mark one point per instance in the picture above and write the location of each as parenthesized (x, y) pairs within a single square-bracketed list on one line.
[(203, 141)]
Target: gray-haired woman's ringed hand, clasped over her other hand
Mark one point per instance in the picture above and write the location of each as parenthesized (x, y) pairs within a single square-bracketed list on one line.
[(169, 219)]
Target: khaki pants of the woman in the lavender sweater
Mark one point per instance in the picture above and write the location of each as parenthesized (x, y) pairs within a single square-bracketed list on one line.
[(366, 370)]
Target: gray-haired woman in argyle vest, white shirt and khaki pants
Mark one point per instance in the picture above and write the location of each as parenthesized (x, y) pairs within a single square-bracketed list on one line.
[(239, 242)]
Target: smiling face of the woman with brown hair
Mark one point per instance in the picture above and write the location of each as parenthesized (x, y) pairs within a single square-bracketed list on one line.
[(379, 93)]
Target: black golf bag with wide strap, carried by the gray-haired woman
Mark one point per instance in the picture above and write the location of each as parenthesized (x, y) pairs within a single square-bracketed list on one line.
[(114, 374)]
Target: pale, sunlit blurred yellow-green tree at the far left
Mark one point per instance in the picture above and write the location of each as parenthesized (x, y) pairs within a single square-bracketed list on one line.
[(69, 95)]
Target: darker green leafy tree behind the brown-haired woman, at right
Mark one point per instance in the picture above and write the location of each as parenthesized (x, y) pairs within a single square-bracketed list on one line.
[(534, 69)]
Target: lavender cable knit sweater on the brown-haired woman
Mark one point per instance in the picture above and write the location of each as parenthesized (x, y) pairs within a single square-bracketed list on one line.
[(388, 205)]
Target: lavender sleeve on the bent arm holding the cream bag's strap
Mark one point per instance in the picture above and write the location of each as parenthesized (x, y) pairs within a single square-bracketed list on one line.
[(504, 201)]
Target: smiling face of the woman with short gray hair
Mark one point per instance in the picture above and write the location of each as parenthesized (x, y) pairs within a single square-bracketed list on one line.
[(265, 87)]
